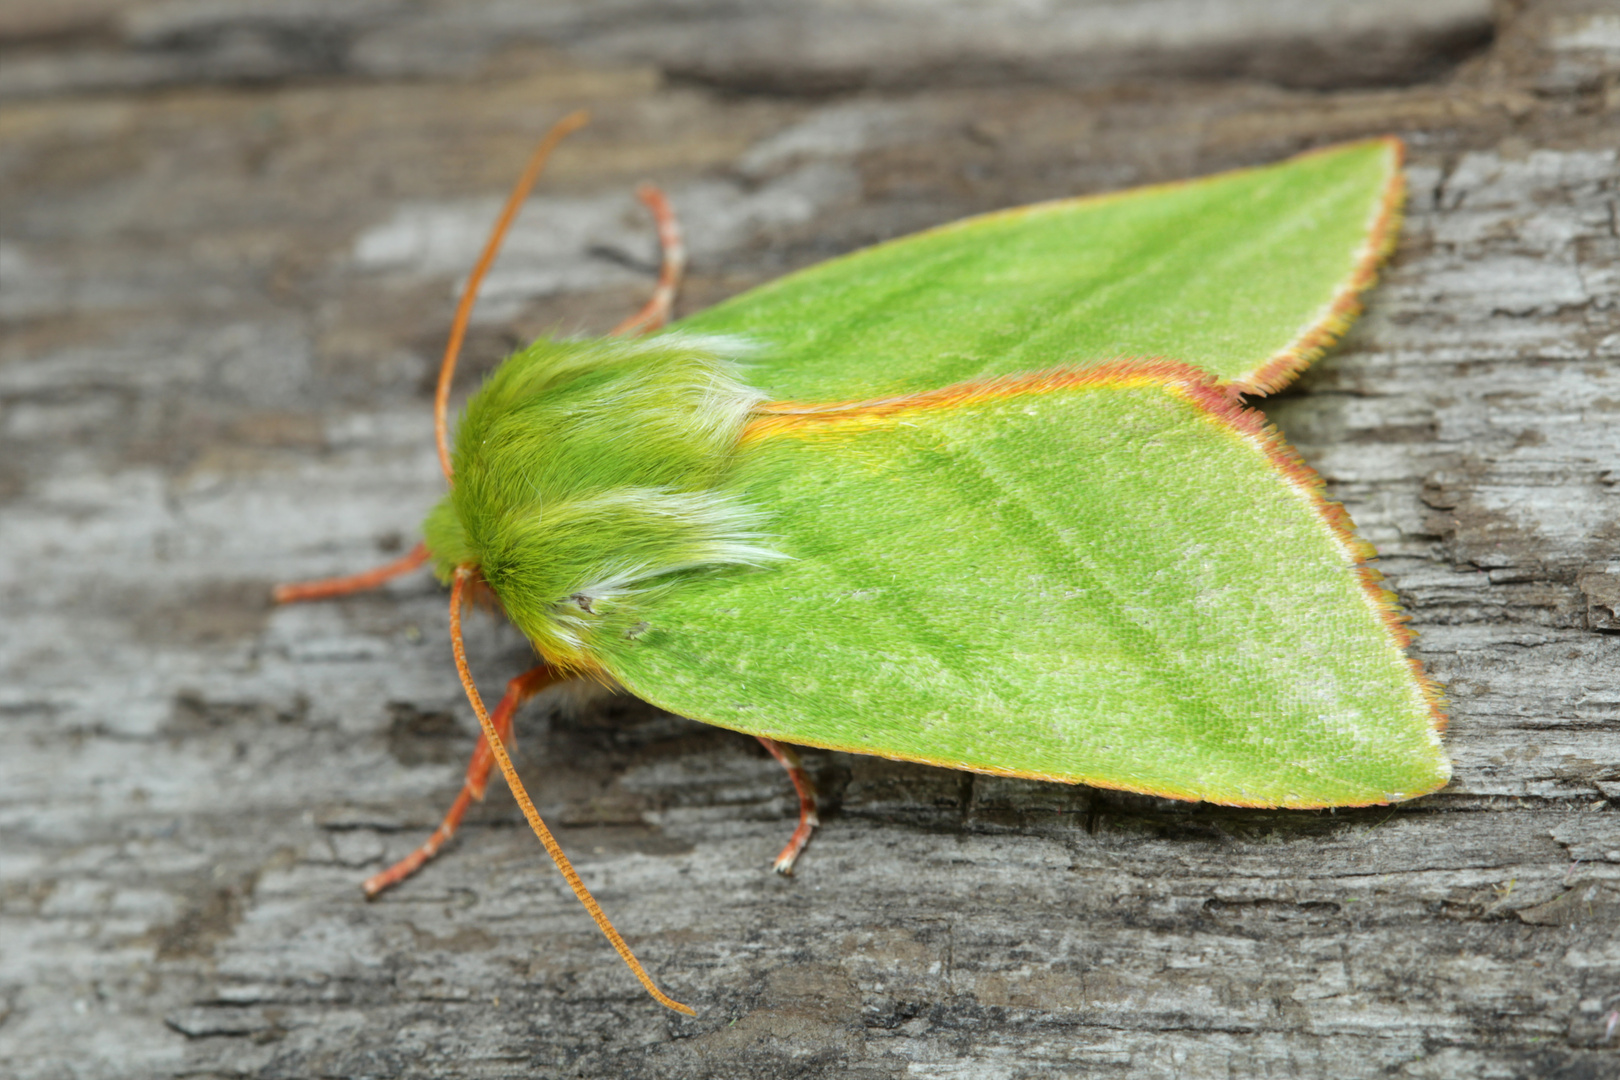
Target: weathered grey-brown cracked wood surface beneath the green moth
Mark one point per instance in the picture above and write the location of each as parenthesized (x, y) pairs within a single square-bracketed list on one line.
[(231, 239)]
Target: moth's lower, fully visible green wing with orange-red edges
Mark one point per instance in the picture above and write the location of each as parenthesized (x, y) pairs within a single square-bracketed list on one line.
[(1106, 585)]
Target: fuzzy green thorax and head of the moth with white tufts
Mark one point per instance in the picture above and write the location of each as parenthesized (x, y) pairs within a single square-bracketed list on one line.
[(587, 474)]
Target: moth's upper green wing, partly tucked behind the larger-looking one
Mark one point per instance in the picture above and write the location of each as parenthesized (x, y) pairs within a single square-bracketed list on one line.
[(1247, 274)]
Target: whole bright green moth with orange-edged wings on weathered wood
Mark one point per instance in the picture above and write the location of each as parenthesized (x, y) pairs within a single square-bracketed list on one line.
[(981, 498)]
